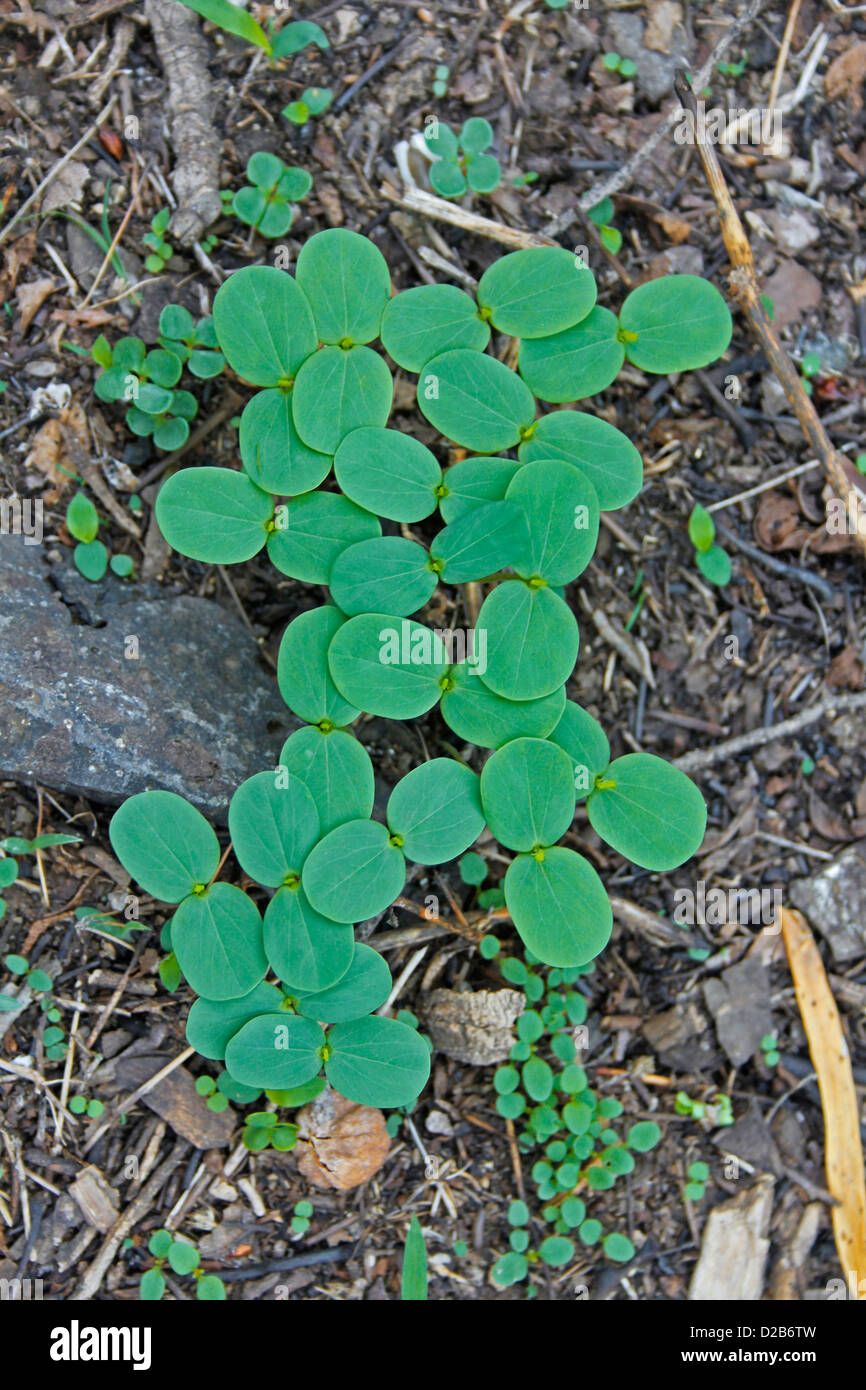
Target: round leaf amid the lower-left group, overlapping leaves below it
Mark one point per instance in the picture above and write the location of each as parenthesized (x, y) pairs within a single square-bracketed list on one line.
[(355, 872)]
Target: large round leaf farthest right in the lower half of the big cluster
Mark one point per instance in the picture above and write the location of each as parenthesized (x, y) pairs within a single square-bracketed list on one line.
[(654, 814)]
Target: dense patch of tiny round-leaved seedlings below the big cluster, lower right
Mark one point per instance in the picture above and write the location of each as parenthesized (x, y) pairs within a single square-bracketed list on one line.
[(547, 1092)]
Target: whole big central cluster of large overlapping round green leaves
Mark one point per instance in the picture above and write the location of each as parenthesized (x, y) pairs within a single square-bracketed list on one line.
[(286, 995)]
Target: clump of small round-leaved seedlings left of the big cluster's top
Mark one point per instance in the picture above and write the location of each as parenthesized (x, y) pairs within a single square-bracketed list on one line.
[(147, 382)]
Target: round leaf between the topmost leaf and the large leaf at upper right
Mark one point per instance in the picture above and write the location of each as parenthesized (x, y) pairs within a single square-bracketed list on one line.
[(426, 322)]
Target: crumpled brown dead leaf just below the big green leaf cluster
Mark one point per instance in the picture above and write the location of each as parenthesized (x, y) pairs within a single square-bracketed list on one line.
[(340, 1145)]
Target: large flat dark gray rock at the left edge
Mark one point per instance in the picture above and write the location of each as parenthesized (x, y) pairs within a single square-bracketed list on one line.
[(194, 712)]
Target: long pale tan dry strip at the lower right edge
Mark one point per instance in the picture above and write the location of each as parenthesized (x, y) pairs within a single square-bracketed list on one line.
[(832, 1061)]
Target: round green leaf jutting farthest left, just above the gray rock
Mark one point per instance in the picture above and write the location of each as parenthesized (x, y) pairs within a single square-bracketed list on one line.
[(215, 515)]
